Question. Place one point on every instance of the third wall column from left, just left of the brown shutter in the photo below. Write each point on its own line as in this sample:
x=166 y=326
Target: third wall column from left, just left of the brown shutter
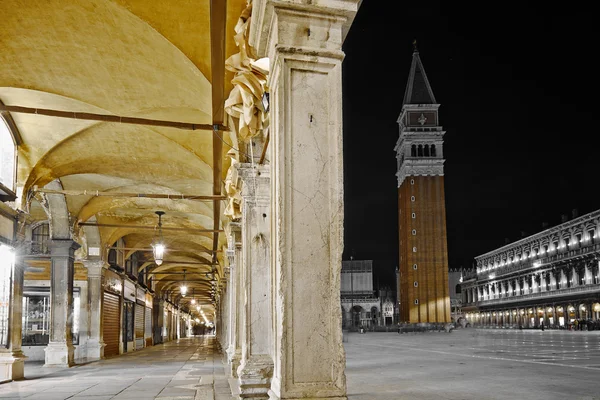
x=95 y=343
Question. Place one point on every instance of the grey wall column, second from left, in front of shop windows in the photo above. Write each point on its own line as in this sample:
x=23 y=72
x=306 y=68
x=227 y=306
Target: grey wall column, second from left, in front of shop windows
x=59 y=352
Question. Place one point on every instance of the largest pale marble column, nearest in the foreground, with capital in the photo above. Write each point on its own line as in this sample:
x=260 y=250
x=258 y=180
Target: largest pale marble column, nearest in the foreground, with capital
x=303 y=41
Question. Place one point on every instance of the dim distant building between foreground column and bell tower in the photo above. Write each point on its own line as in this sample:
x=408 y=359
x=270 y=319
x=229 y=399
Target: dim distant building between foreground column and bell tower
x=363 y=305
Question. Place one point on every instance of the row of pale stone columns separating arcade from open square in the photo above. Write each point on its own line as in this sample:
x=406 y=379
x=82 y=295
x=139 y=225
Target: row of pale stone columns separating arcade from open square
x=279 y=314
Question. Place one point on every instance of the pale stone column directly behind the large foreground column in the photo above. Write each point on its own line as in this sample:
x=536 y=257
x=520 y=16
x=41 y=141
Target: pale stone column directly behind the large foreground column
x=256 y=368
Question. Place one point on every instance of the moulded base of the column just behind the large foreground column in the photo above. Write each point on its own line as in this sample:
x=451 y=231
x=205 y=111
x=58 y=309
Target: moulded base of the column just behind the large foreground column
x=255 y=377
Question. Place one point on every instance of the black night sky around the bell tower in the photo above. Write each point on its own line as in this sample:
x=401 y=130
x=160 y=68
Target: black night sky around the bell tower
x=518 y=87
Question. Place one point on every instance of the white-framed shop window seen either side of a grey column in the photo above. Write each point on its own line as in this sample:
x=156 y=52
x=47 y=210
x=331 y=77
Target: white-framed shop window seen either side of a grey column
x=36 y=316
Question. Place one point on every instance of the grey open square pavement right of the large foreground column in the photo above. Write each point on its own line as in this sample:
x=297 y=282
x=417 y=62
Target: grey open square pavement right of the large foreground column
x=493 y=364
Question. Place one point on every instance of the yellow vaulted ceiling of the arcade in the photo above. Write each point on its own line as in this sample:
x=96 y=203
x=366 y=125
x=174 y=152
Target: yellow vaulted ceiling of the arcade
x=132 y=58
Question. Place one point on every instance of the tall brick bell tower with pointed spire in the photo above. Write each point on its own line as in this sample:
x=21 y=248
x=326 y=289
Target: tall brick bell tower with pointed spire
x=423 y=293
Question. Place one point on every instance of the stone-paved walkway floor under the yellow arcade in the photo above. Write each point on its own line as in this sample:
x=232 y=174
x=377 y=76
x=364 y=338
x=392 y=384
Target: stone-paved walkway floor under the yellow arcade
x=185 y=369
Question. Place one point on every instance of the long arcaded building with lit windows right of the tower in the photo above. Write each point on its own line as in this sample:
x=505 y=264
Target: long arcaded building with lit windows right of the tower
x=548 y=279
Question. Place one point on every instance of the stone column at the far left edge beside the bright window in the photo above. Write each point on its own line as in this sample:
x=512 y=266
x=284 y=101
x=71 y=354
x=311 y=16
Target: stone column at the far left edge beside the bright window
x=12 y=359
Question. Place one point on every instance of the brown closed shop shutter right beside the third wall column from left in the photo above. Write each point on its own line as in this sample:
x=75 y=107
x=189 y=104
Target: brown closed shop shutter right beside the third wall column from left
x=111 y=315
